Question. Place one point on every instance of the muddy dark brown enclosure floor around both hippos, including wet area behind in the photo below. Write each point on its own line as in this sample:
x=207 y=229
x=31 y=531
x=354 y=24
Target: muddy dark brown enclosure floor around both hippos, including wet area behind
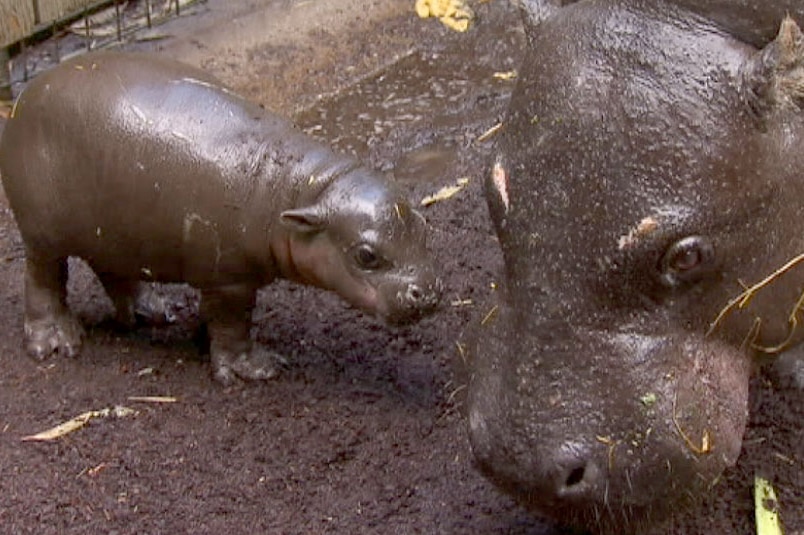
x=361 y=432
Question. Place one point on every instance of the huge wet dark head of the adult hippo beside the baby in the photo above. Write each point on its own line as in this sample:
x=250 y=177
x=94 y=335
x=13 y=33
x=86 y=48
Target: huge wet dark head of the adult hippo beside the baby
x=650 y=165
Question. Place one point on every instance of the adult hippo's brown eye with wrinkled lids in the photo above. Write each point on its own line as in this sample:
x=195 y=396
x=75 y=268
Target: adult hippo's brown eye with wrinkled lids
x=687 y=260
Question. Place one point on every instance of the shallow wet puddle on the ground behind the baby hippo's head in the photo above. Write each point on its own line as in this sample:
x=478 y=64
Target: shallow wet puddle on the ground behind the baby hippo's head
x=413 y=118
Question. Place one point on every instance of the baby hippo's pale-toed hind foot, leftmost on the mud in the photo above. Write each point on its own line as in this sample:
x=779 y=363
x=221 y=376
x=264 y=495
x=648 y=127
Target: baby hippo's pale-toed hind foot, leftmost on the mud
x=58 y=334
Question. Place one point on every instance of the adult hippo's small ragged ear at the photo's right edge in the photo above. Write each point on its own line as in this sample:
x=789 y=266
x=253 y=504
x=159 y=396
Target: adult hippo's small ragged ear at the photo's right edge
x=774 y=78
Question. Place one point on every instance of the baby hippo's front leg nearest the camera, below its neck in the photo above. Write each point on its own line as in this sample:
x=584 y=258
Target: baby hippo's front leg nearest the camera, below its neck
x=227 y=311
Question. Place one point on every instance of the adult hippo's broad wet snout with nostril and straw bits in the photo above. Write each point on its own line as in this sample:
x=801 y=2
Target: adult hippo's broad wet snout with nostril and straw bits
x=647 y=419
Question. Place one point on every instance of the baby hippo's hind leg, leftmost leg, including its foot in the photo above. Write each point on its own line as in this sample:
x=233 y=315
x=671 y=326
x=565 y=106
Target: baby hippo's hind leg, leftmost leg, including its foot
x=49 y=326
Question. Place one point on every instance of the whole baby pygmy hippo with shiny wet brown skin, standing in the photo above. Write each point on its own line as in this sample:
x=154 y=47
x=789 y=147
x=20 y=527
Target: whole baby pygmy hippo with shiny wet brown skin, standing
x=151 y=170
